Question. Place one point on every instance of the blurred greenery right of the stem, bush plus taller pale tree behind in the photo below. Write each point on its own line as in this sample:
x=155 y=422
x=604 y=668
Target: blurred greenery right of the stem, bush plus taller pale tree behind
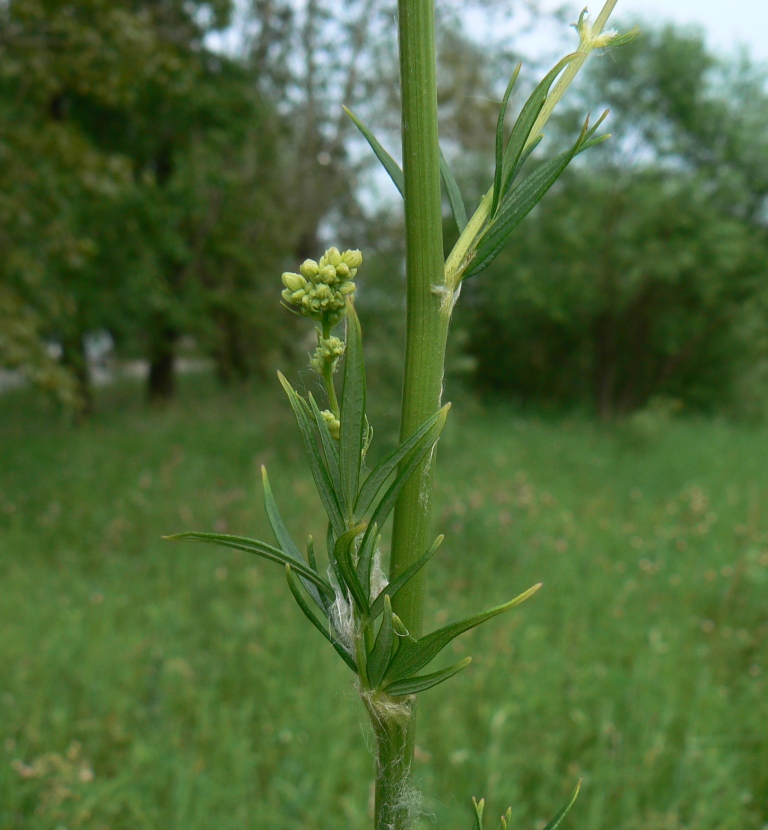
x=644 y=276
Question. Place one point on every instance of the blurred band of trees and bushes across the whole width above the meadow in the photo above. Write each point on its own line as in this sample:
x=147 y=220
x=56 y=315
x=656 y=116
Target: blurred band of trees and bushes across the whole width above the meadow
x=154 y=181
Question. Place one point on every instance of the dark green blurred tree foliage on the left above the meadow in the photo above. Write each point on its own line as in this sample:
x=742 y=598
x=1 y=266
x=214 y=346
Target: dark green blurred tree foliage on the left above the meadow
x=141 y=179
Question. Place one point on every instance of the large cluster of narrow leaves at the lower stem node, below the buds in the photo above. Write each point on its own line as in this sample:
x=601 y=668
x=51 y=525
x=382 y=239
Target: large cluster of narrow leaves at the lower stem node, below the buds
x=351 y=608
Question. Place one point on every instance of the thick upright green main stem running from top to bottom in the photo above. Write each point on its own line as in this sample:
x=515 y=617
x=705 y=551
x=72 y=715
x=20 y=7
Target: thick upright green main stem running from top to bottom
x=426 y=332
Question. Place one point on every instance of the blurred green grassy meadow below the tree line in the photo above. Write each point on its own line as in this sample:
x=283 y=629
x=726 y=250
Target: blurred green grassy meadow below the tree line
x=145 y=685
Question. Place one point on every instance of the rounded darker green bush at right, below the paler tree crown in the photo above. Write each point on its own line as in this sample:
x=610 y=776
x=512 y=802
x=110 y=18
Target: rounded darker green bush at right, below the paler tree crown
x=650 y=291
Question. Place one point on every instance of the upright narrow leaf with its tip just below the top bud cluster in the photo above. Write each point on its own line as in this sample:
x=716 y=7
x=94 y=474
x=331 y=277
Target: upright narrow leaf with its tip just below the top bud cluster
x=352 y=430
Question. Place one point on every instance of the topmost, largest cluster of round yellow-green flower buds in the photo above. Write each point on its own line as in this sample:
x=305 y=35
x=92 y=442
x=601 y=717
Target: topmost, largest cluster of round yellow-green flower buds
x=320 y=289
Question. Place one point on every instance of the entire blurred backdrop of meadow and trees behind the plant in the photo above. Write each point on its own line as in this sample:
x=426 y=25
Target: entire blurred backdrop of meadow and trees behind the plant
x=160 y=165
